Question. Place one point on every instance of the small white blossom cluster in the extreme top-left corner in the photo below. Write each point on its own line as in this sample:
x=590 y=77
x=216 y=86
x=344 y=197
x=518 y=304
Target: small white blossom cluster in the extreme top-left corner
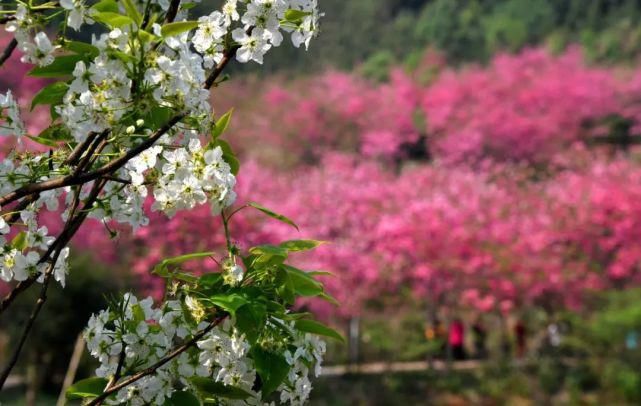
x=34 y=44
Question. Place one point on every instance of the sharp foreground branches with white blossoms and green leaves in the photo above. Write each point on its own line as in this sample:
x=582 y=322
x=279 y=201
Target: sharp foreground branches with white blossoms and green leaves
x=130 y=122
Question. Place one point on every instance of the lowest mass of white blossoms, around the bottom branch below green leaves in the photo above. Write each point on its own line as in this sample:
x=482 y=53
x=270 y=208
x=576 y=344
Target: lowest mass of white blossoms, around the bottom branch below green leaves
x=143 y=335
